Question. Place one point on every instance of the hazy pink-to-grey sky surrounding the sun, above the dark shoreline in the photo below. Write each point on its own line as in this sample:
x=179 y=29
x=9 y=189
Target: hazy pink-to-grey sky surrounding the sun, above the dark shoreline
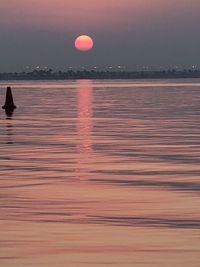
x=125 y=32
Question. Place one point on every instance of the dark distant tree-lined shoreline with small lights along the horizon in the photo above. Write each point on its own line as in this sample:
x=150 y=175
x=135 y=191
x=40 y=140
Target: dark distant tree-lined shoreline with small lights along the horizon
x=99 y=75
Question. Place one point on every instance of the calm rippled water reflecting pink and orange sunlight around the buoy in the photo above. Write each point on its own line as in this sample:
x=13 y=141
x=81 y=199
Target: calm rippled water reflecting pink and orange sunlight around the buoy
x=99 y=173
